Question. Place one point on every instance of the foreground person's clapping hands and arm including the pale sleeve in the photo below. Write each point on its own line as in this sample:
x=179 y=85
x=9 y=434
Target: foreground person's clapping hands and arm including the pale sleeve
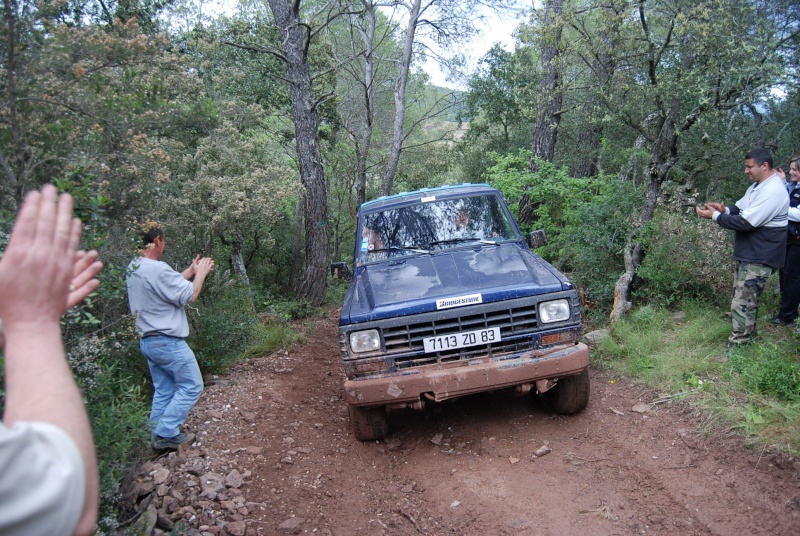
x=48 y=470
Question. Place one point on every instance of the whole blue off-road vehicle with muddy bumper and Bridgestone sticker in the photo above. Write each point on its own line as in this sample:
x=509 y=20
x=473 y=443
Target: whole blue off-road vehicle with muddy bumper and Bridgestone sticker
x=447 y=299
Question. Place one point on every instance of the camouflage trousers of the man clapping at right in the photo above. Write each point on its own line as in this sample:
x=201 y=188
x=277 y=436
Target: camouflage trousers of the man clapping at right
x=747 y=286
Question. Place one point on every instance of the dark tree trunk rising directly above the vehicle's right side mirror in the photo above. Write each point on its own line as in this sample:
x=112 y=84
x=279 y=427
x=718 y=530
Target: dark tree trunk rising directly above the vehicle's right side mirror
x=545 y=131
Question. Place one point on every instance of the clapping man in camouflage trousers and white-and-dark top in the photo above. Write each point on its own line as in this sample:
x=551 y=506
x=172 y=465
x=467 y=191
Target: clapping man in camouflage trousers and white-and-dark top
x=759 y=220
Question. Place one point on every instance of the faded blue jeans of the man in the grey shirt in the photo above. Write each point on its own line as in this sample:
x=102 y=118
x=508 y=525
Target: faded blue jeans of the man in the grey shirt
x=176 y=380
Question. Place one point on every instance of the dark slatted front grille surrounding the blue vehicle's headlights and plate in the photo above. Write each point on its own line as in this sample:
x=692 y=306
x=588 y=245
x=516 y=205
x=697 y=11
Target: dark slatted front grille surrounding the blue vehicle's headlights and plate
x=517 y=320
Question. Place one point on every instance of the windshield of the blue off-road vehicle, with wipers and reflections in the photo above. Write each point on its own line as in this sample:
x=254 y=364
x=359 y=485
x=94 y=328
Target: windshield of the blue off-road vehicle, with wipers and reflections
x=433 y=226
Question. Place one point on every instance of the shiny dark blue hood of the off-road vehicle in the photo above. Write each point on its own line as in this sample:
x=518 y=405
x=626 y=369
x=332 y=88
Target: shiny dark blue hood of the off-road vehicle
x=413 y=284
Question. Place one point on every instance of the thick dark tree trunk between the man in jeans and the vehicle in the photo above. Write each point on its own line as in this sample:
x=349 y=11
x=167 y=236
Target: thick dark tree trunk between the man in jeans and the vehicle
x=294 y=40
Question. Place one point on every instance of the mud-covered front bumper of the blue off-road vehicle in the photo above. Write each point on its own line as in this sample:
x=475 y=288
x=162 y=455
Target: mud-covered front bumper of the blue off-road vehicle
x=442 y=381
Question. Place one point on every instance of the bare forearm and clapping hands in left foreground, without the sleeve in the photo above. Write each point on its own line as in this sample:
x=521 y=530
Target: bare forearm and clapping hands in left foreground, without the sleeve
x=36 y=271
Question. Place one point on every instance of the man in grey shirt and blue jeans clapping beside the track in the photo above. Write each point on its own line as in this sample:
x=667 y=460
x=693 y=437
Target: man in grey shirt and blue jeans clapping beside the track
x=157 y=295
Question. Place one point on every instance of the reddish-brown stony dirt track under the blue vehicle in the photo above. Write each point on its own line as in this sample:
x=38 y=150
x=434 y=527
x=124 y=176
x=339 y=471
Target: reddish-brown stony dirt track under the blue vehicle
x=274 y=455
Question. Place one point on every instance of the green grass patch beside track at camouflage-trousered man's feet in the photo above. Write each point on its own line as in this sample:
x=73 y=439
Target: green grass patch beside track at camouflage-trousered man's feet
x=756 y=393
